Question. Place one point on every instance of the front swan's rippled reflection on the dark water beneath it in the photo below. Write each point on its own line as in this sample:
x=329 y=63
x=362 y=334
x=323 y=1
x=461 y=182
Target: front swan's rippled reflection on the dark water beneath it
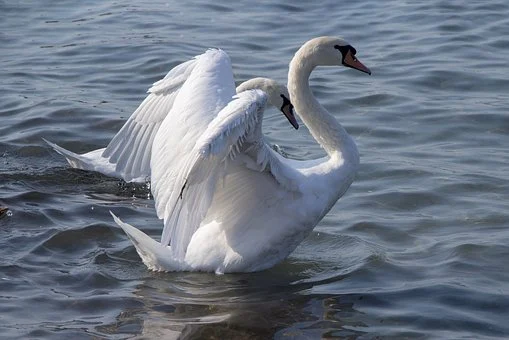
x=261 y=305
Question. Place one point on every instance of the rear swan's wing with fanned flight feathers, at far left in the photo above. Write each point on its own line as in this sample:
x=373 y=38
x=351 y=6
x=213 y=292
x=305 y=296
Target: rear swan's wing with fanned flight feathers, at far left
x=130 y=149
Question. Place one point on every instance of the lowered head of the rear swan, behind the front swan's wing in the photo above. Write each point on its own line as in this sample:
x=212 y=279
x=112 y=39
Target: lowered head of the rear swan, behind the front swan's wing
x=278 y=96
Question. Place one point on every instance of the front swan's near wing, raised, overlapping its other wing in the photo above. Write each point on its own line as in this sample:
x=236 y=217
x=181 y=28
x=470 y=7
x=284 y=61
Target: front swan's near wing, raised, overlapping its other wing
x=184 y=203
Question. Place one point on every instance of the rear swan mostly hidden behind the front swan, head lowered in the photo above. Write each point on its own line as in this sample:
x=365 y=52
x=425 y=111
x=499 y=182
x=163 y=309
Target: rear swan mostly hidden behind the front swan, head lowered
x=127 y=156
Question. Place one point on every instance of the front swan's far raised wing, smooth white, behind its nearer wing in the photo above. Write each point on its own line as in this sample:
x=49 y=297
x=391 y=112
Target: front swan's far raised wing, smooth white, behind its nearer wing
x=208 y=89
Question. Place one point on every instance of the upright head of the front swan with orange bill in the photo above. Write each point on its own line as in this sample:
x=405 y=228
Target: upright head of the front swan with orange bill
x=333 y=51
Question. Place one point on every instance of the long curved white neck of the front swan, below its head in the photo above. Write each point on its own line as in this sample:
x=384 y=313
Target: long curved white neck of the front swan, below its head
x=324 y=128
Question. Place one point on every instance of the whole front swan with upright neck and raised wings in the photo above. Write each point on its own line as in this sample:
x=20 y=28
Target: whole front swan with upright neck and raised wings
x=229 y=202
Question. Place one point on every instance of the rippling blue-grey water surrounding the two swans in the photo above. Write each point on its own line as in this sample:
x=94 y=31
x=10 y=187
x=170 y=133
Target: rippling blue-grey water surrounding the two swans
x=417 y=248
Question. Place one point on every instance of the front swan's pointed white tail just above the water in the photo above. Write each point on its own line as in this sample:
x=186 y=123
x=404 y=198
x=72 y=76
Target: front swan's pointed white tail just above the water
x=155 y=256
